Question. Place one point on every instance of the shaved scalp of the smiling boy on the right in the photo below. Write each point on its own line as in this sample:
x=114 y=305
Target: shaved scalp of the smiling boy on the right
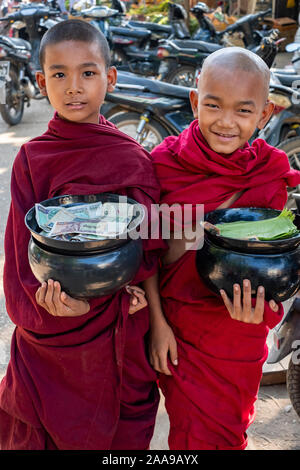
x=235 y=59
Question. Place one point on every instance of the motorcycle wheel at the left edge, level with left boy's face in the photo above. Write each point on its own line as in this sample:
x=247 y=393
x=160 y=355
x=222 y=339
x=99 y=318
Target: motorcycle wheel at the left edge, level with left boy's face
x=12 y=111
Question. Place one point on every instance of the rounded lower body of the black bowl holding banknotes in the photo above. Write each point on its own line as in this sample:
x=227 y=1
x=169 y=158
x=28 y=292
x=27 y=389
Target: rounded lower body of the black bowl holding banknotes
x=94 y=274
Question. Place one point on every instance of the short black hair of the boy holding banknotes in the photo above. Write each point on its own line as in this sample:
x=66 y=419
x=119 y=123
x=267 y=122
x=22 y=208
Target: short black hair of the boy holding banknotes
x=75 y=30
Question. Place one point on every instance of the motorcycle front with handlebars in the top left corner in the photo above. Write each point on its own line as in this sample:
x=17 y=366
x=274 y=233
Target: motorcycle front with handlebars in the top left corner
x=30 y=23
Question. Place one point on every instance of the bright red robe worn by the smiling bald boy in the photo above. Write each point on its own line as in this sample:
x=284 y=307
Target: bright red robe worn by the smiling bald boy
x=210 y=396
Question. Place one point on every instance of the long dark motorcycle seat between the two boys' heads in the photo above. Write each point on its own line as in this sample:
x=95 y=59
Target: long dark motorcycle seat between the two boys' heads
x=154 y=86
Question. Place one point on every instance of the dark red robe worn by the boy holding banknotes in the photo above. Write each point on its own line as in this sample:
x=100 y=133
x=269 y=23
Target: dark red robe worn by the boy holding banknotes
x=79 y=382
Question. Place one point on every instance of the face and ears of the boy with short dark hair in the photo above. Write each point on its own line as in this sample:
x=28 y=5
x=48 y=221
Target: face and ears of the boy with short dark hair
x=75 y=80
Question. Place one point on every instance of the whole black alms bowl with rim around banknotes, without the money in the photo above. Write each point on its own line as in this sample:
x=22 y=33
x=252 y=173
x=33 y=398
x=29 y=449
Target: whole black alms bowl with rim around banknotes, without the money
x=85 y=269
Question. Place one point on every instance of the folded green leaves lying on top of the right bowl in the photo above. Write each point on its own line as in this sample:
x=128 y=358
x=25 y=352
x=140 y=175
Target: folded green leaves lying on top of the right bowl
x=275 y=228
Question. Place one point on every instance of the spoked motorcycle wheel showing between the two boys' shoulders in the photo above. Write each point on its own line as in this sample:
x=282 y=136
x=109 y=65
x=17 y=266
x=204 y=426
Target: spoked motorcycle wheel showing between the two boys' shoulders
x=152 y=135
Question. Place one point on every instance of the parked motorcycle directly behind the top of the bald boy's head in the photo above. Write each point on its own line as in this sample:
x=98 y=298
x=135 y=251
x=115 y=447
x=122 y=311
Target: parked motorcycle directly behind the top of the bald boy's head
x=181 y=61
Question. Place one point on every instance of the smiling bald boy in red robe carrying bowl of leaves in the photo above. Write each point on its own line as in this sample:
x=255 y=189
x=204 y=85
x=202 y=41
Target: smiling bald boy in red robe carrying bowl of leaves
x=210 y=350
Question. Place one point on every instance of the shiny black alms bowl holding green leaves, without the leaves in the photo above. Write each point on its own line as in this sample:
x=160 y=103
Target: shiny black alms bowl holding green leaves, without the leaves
x=275 y=264
